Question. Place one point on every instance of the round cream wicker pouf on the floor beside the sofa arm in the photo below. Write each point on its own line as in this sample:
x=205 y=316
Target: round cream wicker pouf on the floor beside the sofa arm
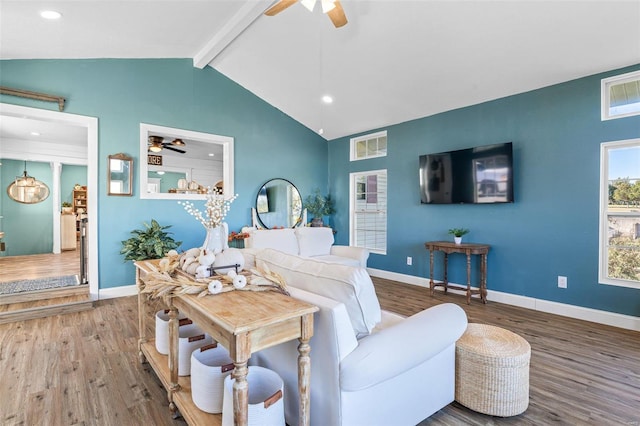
x=492 y=371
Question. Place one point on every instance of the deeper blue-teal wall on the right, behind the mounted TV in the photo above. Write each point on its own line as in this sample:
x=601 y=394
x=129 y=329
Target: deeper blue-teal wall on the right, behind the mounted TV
x=551 y=229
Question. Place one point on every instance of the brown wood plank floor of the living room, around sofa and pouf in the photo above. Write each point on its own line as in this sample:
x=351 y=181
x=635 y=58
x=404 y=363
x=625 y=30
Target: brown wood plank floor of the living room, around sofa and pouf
x=82 y=368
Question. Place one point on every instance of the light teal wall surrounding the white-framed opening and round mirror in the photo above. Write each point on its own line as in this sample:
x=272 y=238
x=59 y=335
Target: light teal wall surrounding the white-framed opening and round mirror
x=124 y=93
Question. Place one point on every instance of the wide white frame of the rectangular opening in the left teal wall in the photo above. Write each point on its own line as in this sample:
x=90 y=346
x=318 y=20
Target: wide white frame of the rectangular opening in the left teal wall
x=147 y=130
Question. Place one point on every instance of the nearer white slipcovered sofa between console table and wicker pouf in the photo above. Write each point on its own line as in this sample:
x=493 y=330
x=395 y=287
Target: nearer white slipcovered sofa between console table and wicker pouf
x=368 y=366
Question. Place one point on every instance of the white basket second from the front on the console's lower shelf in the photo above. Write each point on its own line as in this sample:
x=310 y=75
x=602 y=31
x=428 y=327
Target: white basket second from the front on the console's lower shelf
x=209 y=366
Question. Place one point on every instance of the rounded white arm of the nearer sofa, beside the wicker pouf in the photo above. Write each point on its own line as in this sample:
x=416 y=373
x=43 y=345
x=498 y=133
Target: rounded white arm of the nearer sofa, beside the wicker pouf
x=397 y=349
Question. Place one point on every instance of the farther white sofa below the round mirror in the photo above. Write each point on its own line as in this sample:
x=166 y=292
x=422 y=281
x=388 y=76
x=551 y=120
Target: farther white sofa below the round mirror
x=306 y=241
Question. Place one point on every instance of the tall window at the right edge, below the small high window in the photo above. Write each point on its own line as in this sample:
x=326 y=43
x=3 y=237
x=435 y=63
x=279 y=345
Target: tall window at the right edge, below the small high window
x=620 y=213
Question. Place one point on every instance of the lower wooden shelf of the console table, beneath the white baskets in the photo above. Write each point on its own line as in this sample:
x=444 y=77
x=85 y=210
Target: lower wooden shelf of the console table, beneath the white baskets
x=181 y=398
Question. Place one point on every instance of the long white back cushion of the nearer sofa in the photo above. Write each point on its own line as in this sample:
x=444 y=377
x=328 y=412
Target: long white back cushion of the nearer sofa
x=347 y=284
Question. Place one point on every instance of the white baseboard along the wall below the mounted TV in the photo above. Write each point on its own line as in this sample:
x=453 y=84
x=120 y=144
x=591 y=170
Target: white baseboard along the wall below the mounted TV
x=578 y=312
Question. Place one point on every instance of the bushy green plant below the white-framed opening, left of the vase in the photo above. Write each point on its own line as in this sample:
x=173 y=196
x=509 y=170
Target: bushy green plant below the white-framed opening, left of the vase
x=153 y=242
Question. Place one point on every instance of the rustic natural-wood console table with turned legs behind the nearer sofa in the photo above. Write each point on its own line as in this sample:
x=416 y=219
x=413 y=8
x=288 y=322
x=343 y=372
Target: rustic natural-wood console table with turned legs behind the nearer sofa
x=243 y=322
